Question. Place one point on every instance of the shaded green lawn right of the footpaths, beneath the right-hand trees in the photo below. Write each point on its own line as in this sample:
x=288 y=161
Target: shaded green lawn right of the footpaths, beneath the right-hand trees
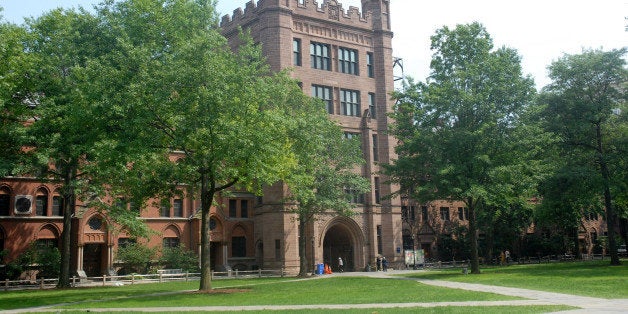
x=594 y=279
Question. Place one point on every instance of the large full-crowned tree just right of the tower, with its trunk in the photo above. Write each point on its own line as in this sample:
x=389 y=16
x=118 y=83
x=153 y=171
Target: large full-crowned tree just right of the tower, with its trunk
x=457 y=132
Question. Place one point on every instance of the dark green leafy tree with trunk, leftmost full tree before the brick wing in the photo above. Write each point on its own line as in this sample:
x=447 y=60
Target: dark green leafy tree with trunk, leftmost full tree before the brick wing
x=65 y=140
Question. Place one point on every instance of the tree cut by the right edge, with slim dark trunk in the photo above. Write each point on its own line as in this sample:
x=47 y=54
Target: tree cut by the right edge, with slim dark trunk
x=583 y=107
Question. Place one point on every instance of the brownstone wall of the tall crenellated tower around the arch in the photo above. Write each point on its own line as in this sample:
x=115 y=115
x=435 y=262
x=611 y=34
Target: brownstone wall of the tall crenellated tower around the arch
x=274 y=25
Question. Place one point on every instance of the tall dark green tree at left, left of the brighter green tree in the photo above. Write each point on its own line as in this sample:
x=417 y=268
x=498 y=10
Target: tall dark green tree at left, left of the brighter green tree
x=77 y=136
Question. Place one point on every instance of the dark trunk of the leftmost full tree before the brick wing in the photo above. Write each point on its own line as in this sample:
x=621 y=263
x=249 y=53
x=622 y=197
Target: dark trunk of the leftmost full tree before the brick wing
x=69 y=200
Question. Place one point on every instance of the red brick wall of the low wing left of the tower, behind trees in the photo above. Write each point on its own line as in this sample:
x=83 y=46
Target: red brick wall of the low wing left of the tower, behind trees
x=95 y=238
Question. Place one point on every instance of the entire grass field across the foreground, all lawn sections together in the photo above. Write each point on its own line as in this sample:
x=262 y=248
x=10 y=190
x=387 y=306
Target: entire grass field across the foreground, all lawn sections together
x=589 y=279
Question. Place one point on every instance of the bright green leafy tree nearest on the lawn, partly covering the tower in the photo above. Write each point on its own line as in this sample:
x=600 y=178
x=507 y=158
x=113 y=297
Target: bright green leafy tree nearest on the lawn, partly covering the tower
x=221 y=115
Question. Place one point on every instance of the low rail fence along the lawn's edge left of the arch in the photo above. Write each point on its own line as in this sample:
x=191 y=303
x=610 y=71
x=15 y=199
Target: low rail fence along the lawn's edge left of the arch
x=159 y=277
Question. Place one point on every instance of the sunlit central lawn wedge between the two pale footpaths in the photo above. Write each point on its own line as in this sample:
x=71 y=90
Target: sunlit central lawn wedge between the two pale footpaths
x=335 y=290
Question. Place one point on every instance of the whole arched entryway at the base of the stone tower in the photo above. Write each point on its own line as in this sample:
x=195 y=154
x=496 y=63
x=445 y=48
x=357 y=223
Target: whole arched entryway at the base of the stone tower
x=343 y=239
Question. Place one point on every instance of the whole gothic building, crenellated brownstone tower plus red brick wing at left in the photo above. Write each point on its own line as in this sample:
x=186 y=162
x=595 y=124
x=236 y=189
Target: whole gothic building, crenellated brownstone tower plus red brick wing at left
x=343 y=57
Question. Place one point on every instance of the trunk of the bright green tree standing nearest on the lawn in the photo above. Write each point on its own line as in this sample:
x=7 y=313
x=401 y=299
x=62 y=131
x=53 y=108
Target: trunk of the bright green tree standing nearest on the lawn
x=207 y=196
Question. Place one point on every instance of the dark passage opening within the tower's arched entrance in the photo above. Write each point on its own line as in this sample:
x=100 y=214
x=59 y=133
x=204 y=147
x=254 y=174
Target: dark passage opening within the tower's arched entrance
x=338 y=243
